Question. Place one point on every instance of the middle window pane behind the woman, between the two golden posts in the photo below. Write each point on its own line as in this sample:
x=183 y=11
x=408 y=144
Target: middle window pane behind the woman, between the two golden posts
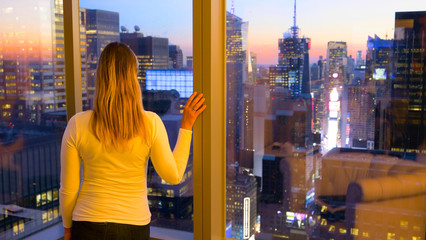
x=160 y=35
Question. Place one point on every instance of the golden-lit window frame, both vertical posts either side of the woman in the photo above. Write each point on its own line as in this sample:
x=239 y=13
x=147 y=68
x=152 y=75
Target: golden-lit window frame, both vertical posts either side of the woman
x=209 y=145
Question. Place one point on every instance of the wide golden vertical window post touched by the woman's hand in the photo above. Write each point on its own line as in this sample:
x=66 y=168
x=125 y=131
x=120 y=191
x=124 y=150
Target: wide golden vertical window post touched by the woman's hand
x=209 y=133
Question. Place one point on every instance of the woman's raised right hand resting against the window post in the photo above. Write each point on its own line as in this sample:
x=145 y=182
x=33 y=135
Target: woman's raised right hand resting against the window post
x=193 y=108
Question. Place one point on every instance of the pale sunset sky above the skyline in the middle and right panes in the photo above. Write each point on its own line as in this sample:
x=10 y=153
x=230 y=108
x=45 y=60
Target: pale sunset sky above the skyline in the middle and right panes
x=269 y=20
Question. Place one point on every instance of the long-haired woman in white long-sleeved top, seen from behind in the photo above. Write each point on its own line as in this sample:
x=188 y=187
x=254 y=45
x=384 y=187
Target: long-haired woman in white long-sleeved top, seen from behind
x=114 y=141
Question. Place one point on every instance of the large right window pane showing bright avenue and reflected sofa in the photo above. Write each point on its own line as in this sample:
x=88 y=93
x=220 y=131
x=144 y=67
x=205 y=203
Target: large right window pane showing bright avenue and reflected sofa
x=326 y=122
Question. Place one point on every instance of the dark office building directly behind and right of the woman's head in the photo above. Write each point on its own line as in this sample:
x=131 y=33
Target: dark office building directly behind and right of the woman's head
x=152 y=52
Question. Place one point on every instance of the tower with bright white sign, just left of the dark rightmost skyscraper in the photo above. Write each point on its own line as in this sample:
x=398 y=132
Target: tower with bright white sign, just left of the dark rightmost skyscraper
x=375 y=88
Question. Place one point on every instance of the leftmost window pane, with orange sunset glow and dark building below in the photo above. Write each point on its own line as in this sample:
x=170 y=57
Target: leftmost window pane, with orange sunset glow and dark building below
x=32 y=115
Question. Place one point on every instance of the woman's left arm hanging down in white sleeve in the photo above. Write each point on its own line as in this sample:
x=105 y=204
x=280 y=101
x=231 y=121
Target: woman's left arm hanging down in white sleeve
x=70 y=173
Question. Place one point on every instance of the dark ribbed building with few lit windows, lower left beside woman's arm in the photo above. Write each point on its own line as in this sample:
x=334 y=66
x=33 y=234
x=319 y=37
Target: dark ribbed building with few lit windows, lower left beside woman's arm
x=30 y=182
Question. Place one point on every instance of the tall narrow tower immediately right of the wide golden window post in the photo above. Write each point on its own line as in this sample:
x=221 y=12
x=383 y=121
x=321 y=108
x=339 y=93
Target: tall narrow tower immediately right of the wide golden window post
x=236 y=75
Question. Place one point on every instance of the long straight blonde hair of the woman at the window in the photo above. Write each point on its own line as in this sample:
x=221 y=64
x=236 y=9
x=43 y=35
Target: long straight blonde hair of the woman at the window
x=118 y=111
